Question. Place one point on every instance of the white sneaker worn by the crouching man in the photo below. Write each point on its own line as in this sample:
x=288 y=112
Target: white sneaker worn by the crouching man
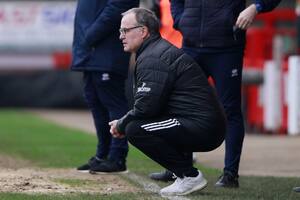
x=185 y=185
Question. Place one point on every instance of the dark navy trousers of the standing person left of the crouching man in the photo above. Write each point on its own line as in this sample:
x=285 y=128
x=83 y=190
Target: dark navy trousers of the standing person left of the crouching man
x=105 y=95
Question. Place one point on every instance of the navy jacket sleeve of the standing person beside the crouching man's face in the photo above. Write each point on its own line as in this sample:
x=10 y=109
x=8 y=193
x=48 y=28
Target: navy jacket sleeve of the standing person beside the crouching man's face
x=108 y=20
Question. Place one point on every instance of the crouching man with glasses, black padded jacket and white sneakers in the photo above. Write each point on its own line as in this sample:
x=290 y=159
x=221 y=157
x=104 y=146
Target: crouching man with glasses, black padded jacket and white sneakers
x=176 y=111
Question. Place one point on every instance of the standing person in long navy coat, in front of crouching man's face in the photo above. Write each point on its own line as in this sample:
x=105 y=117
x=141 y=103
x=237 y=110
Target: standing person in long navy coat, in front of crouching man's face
x=98 y=53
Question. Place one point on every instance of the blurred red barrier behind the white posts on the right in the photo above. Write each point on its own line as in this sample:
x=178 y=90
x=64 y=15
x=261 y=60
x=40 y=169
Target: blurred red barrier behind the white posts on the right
x=259 y=48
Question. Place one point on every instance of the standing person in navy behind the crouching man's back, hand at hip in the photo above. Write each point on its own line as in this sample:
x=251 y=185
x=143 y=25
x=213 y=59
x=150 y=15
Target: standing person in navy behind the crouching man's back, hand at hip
x=214 y=35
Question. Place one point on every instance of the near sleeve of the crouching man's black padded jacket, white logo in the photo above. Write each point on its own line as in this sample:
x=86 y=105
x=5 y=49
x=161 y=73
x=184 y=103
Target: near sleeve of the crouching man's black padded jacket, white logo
x=151 y=94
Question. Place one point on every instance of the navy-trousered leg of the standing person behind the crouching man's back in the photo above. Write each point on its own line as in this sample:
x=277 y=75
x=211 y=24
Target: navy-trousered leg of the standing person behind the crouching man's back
x=226 y=71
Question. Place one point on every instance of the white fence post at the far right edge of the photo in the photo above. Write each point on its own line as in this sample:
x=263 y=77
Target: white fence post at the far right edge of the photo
x=294 y=95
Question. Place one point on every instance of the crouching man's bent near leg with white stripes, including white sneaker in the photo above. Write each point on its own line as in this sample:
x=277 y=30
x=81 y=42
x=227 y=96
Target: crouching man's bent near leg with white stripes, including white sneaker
x=174 y=153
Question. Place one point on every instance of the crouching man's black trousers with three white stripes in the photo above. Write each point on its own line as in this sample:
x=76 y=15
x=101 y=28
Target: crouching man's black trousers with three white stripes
x=168 y=143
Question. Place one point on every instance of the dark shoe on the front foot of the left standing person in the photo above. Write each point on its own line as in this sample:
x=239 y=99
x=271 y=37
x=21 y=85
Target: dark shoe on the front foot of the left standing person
x=109 y=167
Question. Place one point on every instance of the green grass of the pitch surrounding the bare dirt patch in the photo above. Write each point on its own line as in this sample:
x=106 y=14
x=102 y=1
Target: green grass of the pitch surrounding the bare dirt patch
x=25 y=136
